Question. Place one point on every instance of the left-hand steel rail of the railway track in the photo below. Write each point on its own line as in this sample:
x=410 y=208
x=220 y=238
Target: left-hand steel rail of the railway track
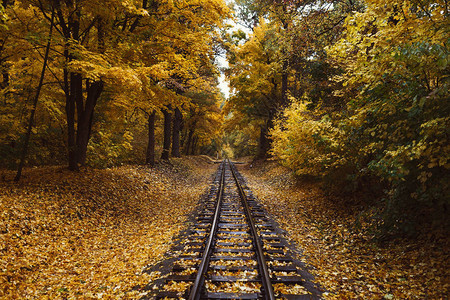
x=195 y=292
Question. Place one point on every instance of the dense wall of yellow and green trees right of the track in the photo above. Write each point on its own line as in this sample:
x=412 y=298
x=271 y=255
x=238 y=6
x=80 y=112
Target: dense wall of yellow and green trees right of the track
x=353 y=92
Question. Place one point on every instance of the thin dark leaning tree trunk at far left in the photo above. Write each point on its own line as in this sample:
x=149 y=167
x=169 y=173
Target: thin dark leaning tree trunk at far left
x=36 y=98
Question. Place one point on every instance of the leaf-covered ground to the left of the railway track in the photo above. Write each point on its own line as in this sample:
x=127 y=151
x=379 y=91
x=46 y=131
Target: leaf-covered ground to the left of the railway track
x=90 y=234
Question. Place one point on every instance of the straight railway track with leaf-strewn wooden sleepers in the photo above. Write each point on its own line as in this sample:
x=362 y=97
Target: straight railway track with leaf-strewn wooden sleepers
x=233 y=251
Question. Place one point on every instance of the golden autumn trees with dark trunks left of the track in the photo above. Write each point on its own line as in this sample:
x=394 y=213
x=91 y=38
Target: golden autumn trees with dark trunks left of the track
x=89 y=79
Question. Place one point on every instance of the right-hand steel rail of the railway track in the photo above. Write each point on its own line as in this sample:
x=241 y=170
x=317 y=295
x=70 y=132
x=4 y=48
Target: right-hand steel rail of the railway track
x=265 y=277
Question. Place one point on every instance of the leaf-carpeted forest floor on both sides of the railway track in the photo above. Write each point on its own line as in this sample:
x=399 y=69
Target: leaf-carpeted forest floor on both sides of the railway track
x=91 y=234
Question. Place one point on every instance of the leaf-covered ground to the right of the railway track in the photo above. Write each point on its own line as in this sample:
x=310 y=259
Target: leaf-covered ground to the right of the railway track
x=344 y=259
